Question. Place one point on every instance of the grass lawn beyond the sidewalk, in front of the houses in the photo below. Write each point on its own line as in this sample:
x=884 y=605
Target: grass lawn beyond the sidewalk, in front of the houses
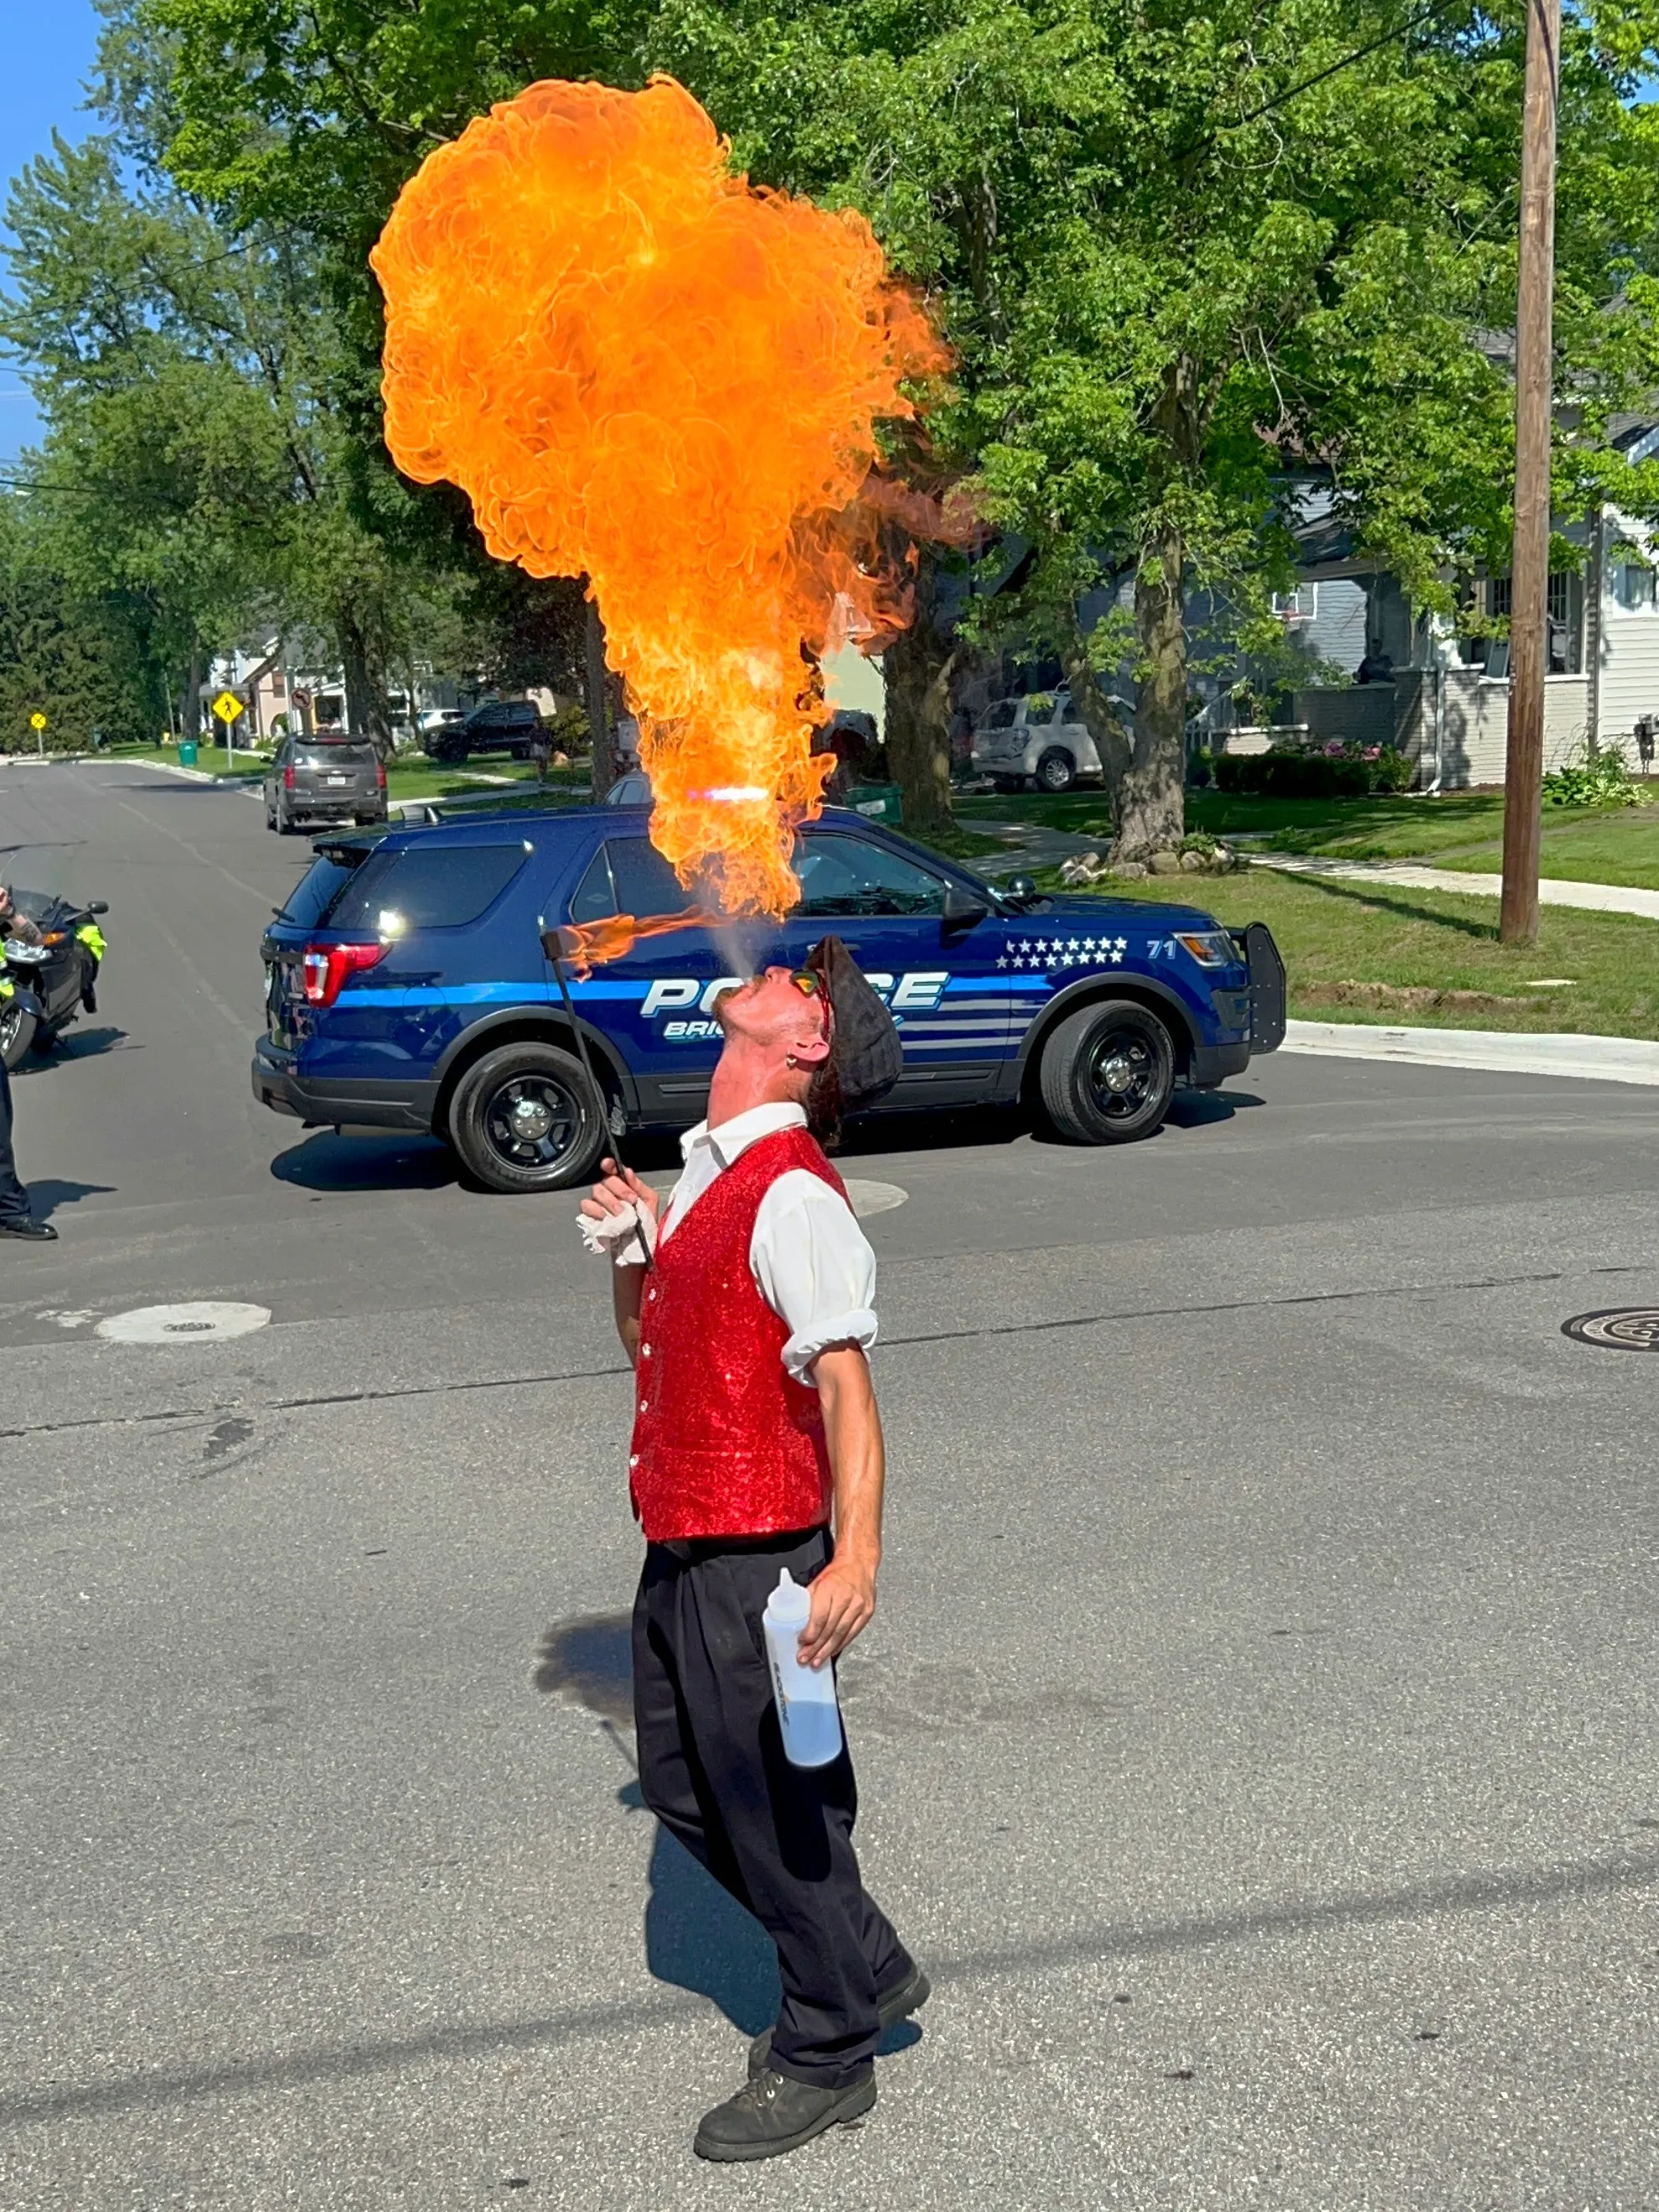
x=1461 y=831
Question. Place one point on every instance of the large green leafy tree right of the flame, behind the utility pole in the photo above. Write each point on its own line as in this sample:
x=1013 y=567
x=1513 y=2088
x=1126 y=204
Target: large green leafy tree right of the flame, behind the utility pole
x=1196 y=264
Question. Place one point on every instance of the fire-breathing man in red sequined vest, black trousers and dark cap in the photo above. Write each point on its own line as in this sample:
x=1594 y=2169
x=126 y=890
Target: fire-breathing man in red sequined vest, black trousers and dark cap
x=747 y=1313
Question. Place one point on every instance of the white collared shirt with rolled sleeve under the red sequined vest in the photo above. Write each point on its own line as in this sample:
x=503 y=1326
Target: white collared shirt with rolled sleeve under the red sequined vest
x=808 y=1258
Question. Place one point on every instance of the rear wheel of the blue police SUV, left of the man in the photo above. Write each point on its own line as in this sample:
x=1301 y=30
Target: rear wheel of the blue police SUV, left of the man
x=528 y=1120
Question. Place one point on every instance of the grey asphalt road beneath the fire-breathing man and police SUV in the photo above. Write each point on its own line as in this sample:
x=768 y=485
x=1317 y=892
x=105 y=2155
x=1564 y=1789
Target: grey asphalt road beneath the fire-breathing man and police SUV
x=1258 y=1738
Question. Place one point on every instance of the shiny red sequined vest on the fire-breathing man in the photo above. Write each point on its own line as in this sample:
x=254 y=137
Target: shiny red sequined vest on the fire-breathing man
x=724 y=1439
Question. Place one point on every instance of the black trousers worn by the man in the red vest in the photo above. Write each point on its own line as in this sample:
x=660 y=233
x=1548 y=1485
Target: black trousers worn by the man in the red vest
x=778 y=1837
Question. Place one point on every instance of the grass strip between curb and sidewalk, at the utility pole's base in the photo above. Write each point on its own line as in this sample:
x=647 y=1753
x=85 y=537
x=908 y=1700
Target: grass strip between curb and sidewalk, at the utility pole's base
x=1342 y=932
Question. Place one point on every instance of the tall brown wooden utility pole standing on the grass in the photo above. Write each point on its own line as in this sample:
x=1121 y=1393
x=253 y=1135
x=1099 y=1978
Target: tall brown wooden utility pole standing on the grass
x=1532 y=563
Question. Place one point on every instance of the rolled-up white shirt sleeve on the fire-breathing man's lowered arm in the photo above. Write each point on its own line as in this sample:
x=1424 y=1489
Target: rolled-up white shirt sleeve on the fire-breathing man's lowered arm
x=815 y=1269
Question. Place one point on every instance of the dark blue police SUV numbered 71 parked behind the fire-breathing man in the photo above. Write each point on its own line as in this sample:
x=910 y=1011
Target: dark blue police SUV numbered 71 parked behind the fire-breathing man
x=408 y=990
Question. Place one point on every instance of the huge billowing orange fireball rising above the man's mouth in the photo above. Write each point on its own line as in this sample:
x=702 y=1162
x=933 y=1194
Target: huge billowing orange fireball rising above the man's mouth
x=645 y=371
